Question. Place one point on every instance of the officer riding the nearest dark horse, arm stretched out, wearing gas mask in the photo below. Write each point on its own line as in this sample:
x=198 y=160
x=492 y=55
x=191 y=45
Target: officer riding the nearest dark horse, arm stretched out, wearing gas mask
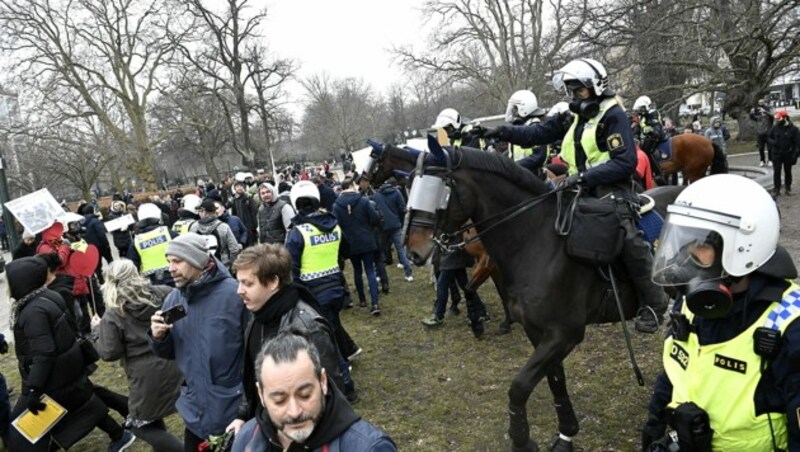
x=599 y=150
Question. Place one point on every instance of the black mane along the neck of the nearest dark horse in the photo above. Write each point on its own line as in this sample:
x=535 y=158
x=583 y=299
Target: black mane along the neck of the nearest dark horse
x=501 y=166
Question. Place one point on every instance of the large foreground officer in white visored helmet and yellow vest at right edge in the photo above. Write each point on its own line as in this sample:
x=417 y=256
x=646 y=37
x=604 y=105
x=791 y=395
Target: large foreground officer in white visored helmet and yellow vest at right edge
x=731 y=378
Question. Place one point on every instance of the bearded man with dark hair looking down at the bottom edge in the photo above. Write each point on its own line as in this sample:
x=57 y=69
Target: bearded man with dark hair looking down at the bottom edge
x=303 y=408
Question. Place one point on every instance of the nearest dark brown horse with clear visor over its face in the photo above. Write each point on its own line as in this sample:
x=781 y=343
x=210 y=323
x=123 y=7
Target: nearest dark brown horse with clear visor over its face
x=550 y=294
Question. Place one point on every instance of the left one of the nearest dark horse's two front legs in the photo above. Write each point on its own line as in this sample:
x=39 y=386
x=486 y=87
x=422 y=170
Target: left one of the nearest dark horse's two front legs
x=549 y=353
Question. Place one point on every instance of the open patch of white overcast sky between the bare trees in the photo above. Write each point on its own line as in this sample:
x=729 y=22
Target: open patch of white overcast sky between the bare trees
x=344 y=37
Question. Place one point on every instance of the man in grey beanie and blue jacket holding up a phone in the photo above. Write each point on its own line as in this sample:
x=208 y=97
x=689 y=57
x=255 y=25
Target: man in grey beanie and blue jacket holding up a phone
x=208 y=343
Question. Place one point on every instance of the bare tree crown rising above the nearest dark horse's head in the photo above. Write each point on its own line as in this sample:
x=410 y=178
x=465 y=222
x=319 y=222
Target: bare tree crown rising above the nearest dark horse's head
x=496 y=47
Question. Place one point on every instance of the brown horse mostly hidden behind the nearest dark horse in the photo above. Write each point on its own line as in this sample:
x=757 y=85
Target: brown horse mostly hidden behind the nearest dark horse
x=388 y=160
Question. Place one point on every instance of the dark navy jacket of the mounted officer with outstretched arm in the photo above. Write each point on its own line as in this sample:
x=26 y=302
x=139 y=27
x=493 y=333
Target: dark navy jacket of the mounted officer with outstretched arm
x=618 y=169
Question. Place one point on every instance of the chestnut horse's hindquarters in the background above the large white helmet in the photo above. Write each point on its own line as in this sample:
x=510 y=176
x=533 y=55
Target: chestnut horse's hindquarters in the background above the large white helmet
x=689 y=153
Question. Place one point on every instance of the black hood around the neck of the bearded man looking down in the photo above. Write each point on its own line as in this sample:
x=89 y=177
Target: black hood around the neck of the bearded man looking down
x=337 y=417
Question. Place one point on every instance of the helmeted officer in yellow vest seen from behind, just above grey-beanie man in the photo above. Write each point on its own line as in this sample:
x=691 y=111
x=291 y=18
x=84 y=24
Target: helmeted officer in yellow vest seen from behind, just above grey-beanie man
x=149 y=246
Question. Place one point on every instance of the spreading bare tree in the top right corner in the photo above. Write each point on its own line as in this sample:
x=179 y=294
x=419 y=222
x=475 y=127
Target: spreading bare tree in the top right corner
x=737 y=47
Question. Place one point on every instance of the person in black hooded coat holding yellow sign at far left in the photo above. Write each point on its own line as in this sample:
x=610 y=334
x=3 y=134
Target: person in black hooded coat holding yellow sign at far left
x=51 y=362
